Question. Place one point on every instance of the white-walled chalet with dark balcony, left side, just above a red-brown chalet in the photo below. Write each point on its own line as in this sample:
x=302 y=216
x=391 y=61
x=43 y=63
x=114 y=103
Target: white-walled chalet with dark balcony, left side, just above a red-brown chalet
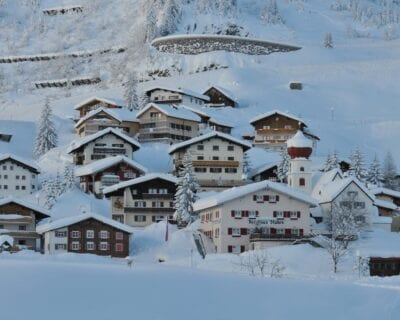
x=108 y=142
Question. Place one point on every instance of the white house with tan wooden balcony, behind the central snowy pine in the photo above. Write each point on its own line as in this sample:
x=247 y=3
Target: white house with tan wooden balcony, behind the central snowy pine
x=217 y=159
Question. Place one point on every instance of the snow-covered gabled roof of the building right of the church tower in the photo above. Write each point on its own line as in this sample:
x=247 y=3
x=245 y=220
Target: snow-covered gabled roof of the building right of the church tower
x=332 y=190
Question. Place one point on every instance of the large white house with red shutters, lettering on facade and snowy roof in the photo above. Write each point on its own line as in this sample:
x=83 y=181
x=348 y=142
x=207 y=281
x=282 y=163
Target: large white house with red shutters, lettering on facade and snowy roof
x=254 y=216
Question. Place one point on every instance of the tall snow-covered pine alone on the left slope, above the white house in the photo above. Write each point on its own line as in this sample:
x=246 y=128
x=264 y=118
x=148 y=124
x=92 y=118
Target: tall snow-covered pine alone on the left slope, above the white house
x=46 y=137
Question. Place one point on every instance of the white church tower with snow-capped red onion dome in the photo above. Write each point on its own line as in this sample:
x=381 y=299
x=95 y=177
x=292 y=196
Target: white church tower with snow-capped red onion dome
x=299 y=175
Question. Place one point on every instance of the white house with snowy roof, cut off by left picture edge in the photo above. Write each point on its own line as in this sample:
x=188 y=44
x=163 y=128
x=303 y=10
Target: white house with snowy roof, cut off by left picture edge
x=18 y=176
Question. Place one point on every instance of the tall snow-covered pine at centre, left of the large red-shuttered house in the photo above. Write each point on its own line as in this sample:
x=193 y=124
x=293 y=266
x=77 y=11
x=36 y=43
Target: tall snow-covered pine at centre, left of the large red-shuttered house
x=186 y=192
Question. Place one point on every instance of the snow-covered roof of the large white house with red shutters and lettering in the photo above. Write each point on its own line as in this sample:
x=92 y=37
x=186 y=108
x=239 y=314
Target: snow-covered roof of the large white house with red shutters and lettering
x=237 y=192
